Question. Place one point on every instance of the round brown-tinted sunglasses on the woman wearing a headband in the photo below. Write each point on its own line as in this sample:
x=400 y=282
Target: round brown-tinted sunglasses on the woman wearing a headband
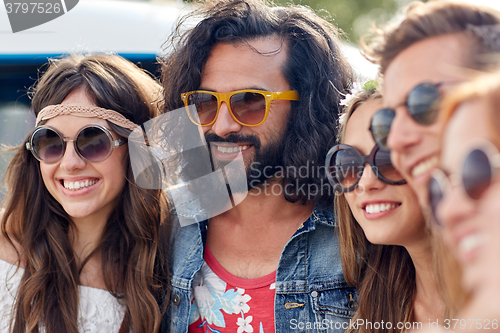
x=93 y=143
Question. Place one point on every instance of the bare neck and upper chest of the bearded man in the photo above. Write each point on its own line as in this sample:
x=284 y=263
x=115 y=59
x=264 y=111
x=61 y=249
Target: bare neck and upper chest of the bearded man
x=248 y=239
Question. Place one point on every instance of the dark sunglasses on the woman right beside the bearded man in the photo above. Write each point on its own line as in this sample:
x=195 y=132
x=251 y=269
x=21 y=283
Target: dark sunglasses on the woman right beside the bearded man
x=345 y=165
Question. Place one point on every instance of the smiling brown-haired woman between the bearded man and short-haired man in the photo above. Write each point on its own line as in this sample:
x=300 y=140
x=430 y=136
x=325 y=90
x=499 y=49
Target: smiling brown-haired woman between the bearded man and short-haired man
x=387 y=250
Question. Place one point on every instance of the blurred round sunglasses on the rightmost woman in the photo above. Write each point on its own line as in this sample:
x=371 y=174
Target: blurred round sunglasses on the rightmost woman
x=476 y=174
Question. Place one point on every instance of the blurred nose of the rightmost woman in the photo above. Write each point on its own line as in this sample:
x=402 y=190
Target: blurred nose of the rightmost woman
x=454 y=208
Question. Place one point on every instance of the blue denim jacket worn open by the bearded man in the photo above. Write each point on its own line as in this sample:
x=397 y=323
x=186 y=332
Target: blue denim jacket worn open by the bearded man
x=311 y=293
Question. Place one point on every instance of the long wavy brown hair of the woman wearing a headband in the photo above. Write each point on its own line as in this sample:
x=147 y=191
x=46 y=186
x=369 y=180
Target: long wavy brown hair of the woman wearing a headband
x=135 y=239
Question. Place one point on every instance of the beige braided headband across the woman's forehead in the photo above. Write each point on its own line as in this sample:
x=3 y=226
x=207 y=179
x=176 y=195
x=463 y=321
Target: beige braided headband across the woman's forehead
x=88 y=111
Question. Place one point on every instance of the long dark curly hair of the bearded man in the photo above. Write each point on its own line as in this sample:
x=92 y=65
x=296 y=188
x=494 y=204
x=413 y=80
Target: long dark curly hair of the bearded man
x=315 y=68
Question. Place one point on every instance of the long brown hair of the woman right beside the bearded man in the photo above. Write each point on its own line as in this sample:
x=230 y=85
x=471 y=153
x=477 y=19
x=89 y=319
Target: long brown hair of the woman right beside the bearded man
x=384 y=275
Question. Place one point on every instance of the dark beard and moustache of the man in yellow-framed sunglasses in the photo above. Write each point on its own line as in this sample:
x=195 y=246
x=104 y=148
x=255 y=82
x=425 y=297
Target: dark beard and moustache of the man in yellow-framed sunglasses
x=267 y=161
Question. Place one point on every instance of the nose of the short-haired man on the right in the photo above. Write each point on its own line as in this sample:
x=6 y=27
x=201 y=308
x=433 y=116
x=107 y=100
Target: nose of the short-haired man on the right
x=405 y=132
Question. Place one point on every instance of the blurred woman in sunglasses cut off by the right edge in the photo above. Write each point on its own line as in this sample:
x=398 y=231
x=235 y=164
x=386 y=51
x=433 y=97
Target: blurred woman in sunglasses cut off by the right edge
x=465 y=193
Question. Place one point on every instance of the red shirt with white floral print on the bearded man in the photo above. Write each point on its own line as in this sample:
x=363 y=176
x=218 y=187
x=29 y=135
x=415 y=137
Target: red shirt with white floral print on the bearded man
x=226 y=303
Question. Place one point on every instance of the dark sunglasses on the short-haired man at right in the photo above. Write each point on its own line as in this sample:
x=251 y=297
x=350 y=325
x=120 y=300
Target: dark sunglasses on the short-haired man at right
x=422 y=103
